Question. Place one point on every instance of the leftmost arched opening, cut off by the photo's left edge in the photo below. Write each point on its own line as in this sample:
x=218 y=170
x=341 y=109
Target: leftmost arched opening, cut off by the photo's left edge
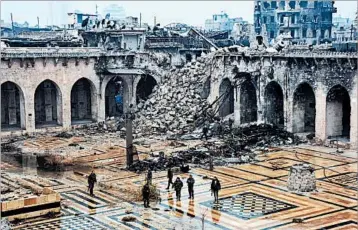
x=12 y=106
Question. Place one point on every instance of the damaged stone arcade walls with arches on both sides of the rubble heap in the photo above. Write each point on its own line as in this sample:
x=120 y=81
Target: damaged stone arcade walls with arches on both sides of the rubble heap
x=49 y=88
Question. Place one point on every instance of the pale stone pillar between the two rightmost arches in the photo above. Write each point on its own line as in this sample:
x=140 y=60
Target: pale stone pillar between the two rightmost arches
x=321 y=118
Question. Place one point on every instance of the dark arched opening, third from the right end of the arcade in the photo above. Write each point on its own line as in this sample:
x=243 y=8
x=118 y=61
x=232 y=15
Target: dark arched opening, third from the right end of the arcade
x=274 y=104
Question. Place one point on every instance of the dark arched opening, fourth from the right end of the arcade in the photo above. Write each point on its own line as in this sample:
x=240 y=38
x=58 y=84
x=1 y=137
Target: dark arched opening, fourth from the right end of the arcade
x=248 y=102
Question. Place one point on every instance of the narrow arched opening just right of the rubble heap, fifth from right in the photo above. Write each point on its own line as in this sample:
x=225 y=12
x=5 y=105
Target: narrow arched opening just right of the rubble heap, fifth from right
x=226 y=94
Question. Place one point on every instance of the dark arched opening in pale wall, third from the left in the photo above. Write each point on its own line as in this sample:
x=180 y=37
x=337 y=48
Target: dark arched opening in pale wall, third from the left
x=82 y=101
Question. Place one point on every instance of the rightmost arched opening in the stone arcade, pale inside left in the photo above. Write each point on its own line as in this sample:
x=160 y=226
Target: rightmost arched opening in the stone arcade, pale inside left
x=338 y=112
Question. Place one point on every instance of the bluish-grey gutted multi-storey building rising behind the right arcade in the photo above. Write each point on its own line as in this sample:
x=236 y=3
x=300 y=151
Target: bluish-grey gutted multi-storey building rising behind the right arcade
x=308 y=22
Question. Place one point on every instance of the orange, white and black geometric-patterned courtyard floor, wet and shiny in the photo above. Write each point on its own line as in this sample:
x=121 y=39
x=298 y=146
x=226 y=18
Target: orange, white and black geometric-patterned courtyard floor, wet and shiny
x=253 y=196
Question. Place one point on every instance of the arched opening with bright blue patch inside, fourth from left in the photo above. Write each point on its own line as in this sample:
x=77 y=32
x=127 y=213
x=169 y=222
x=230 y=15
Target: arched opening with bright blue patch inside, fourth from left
x=116 y=86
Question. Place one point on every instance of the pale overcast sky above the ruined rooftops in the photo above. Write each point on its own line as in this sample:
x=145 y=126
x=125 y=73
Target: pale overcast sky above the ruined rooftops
x=190 y=12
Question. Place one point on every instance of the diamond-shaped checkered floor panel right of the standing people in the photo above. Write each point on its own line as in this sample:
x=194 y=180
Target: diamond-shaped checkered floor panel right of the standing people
x=249 y=205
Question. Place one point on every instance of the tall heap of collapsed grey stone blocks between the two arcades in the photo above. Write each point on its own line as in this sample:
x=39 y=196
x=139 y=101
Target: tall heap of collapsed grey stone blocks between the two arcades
x=174 y=102
